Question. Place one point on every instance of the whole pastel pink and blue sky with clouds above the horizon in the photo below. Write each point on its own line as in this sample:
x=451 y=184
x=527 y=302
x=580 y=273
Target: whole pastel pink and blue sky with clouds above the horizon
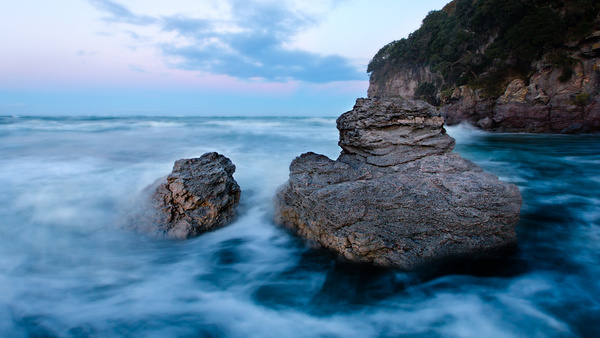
x=194 y=57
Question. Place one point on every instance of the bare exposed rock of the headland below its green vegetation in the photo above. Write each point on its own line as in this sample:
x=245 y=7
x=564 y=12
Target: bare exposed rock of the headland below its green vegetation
x=539 y=104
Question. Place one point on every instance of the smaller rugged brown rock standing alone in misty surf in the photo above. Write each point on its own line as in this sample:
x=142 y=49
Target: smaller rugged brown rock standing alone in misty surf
x=199 y=195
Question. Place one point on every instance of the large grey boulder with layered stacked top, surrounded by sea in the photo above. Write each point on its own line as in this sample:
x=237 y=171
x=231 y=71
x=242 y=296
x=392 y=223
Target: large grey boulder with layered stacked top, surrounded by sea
x=397 y=196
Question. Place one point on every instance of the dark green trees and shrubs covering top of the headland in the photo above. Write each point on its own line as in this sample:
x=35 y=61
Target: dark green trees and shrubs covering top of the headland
x=483 y=43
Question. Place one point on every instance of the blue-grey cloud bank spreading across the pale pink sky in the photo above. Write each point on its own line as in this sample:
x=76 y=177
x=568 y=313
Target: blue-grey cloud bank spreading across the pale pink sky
x=248 y=42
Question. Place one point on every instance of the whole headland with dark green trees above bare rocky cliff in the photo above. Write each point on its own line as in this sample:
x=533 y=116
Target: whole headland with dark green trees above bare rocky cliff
x=501 y=65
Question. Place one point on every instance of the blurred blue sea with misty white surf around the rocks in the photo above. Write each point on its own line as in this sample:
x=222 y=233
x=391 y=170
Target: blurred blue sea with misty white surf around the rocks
x=66 y=270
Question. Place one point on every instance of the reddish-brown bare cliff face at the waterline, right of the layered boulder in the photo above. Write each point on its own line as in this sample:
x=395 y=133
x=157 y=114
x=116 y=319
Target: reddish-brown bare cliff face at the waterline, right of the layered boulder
x=543 y=105
